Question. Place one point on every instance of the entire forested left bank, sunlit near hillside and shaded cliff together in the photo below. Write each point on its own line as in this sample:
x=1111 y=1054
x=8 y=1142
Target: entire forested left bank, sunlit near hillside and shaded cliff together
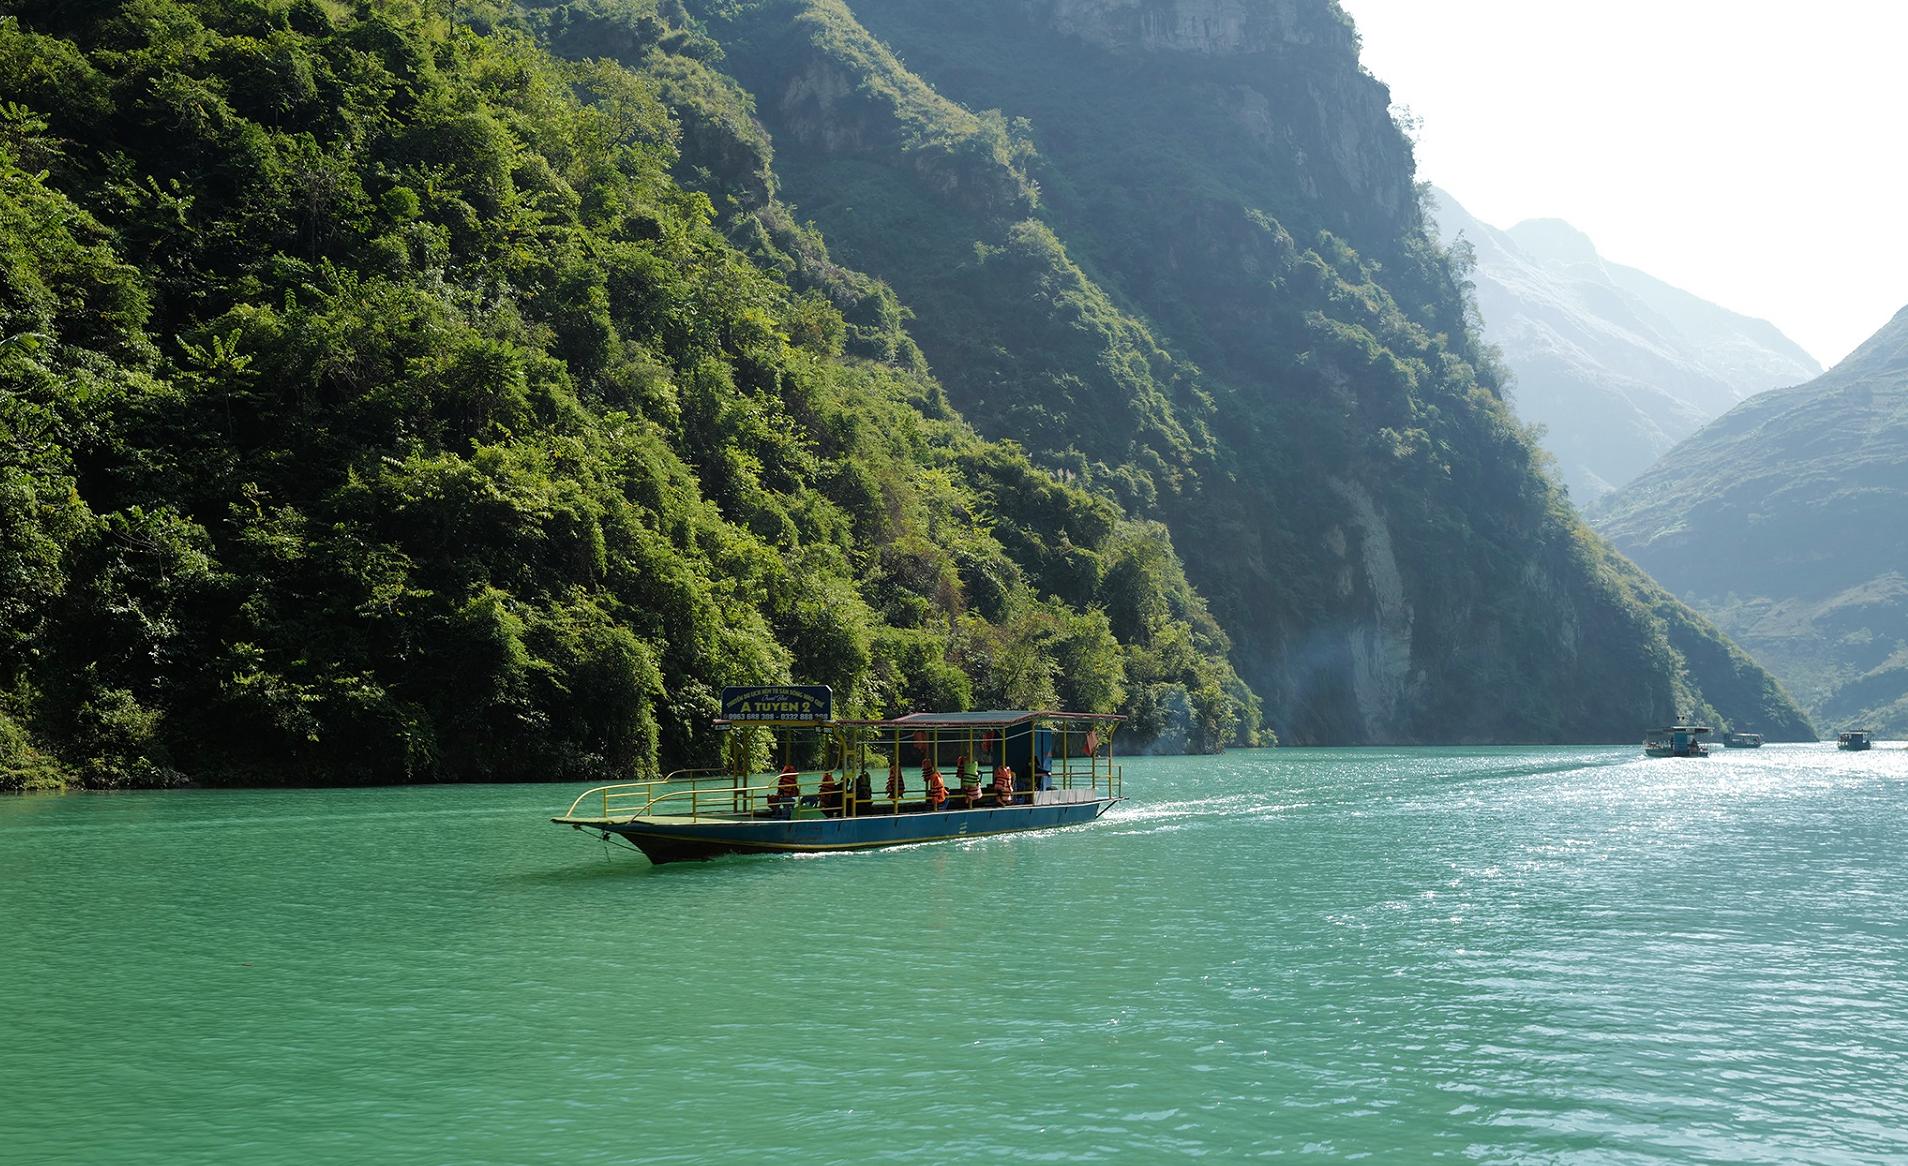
x=384 y=398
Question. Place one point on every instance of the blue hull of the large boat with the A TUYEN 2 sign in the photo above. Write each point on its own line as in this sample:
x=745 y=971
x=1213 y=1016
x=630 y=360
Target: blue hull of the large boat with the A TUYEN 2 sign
x=676 y=843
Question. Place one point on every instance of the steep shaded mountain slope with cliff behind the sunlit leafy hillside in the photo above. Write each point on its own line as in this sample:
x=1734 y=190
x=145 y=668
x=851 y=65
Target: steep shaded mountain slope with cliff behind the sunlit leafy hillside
x=1176 y=251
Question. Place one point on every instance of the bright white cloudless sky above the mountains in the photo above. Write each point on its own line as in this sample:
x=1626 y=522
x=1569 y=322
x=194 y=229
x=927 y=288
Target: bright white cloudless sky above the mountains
x=1751 y=152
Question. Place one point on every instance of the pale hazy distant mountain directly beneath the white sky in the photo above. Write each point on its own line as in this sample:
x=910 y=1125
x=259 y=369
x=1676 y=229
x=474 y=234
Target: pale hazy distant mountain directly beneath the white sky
x=1613 y=362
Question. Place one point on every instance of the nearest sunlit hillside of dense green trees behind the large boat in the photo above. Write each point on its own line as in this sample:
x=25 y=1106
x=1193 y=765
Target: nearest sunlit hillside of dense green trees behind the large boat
x=375 y=406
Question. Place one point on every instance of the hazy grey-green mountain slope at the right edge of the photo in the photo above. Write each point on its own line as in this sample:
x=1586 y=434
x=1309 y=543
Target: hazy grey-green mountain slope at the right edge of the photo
x=1785 y=522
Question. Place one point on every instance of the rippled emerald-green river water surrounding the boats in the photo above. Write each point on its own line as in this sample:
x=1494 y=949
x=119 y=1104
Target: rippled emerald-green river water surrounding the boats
x=1548 y=955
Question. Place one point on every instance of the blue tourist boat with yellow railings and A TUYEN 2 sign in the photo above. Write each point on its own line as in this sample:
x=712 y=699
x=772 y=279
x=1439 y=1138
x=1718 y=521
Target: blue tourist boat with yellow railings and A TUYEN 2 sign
x=800 y=781
